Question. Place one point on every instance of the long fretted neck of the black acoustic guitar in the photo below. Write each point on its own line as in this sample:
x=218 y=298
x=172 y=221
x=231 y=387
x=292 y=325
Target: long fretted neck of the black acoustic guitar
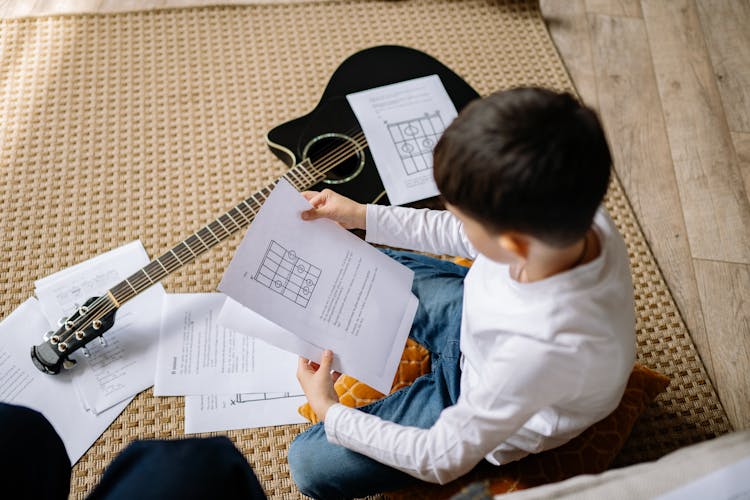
x=302 y=176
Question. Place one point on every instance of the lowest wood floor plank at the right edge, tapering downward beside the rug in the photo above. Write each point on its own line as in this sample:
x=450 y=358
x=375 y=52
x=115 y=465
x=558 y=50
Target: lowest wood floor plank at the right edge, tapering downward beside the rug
x=725 y=294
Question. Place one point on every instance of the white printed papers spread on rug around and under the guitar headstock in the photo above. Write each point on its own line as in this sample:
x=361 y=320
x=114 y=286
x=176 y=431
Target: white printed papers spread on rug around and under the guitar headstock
x=170 y=341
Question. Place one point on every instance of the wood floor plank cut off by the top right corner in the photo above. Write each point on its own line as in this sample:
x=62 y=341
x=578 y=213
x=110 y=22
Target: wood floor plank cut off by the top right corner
x=726 y=27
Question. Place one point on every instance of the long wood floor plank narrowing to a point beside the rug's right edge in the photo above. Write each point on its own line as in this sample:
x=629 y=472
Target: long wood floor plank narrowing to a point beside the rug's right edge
x=642 y=158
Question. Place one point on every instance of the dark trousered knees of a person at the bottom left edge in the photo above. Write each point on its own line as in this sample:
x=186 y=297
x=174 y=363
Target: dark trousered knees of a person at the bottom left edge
x=36 y=465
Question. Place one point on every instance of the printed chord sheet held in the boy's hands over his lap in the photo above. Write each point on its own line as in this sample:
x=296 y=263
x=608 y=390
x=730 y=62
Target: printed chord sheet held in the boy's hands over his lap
x=326 y=286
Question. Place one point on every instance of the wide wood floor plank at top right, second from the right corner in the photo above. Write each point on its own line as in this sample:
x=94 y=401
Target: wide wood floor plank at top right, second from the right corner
x=714 y=201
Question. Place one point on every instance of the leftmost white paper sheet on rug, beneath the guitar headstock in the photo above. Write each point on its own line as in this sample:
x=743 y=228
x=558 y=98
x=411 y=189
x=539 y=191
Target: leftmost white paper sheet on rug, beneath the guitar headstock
x=52 y=395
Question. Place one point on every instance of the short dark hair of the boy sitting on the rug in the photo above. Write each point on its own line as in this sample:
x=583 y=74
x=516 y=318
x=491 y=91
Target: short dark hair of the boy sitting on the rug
x=527 y=160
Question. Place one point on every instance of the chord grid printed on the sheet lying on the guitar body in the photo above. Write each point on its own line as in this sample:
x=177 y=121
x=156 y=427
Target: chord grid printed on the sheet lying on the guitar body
x=415 y=139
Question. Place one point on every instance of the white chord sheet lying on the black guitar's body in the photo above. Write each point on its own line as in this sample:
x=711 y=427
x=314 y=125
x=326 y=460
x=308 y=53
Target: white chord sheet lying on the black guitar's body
x=402 y=123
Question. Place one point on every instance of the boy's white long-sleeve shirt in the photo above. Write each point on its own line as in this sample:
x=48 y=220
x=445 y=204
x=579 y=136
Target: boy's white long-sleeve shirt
x=541 y=361
